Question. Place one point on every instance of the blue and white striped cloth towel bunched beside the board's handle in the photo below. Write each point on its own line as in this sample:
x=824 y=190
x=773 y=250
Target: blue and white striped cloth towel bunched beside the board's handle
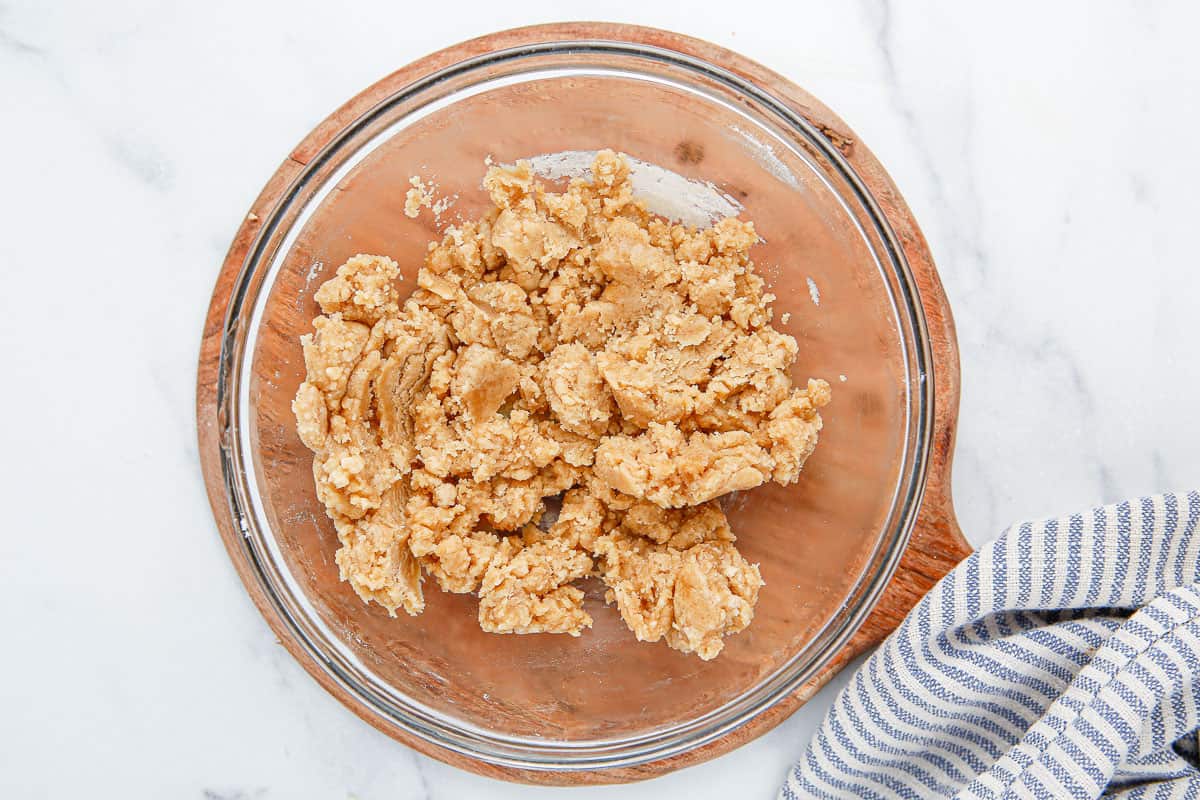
x=1061 y=660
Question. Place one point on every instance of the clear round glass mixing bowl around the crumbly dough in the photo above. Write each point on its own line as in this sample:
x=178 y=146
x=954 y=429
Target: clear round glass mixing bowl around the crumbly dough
x=827 y=545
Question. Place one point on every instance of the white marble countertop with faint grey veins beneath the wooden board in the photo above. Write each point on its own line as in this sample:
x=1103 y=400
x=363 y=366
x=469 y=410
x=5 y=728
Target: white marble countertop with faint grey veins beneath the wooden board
x=1048 y=151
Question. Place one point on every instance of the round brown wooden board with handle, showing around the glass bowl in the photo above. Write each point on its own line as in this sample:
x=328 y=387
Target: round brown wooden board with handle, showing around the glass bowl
x=937 y=544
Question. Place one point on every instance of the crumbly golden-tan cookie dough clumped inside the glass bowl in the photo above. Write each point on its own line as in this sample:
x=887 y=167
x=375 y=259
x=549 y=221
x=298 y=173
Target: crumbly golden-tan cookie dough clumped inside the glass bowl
x=568 y=348
